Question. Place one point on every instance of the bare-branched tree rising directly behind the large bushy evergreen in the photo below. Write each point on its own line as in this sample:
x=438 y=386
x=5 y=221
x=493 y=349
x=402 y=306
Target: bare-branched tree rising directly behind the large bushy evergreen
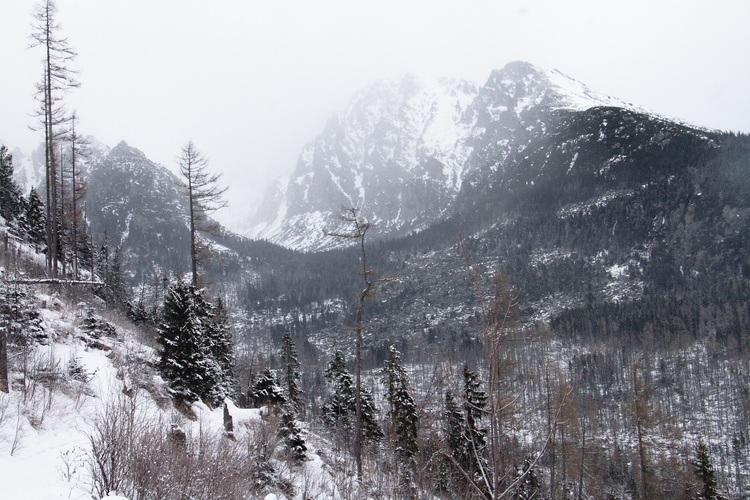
x=204 y=195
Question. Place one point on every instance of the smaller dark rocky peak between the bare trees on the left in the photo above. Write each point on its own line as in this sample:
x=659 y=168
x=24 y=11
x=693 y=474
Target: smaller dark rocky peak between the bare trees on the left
x=139 y=205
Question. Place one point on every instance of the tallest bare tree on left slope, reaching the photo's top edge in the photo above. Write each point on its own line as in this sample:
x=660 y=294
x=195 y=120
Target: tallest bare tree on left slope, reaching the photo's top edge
x=57 y=79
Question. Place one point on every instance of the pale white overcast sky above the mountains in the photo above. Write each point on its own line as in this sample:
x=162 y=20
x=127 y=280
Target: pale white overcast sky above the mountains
x=251 y=82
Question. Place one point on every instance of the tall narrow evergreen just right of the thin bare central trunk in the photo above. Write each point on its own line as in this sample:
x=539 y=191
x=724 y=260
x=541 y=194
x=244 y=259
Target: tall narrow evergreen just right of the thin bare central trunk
x=404 y=420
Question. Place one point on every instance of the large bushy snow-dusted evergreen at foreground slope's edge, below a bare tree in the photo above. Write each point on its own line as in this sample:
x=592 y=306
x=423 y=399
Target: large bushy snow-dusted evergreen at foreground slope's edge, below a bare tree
x=185 y=359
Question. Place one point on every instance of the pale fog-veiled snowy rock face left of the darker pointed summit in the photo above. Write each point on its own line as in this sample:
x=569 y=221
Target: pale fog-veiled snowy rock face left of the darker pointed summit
x=397 y=152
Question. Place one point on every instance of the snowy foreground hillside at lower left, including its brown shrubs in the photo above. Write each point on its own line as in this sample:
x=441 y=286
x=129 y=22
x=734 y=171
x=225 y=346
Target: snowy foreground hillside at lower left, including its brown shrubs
x=88 y=415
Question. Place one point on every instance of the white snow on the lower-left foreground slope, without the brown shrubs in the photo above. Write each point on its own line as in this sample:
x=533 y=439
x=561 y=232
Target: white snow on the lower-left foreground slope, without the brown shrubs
x=49 y=417
